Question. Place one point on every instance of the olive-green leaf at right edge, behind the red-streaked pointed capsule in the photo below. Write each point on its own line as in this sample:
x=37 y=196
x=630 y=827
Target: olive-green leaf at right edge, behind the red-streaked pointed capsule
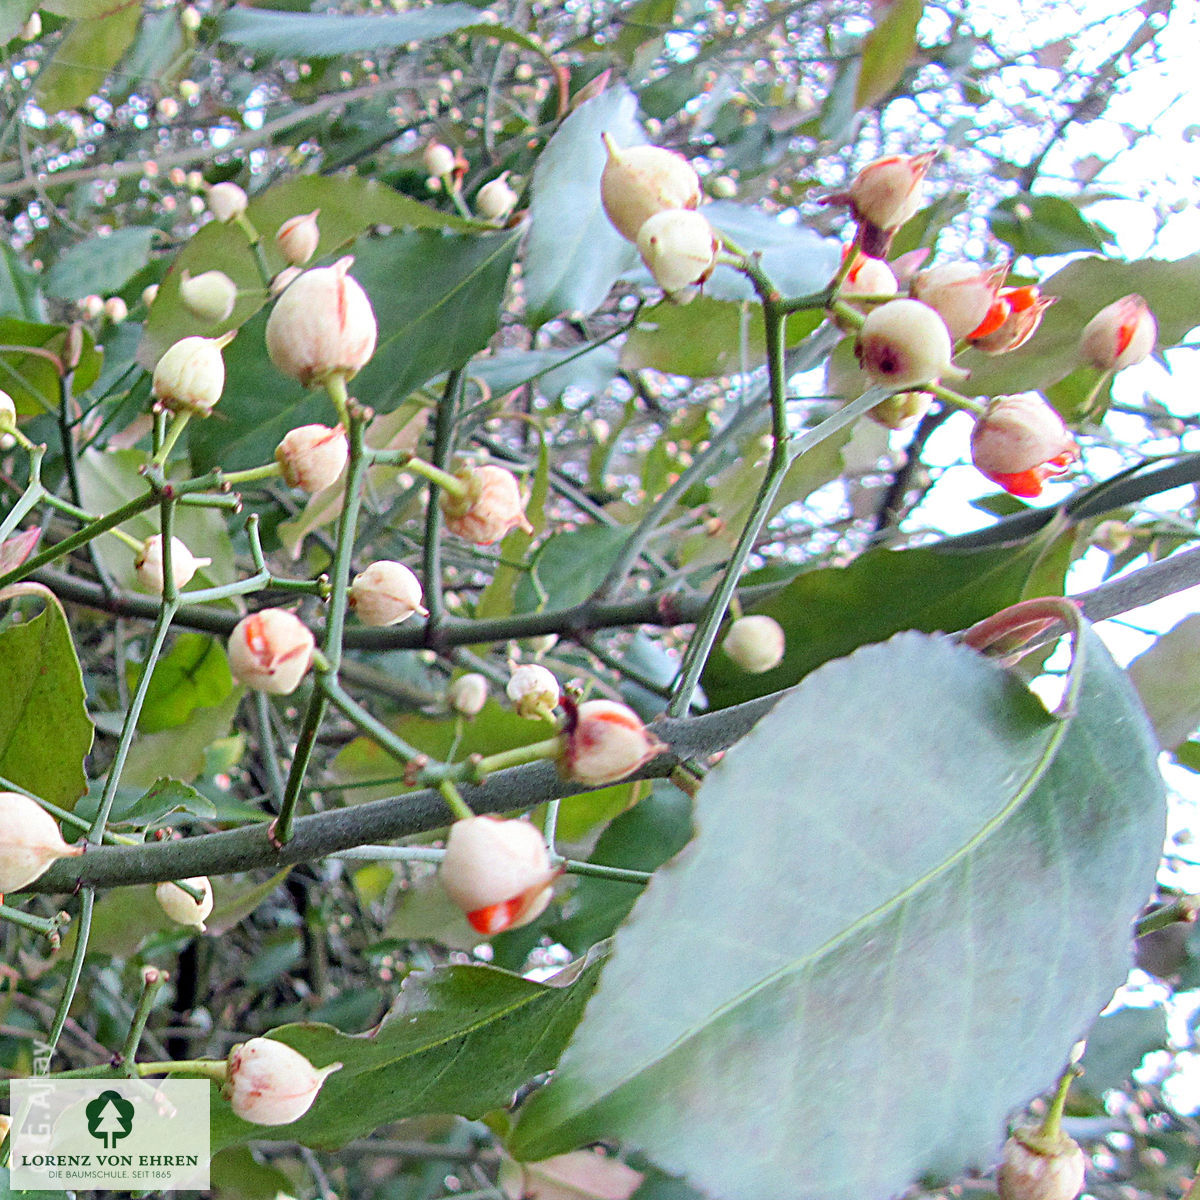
x=1084 y=287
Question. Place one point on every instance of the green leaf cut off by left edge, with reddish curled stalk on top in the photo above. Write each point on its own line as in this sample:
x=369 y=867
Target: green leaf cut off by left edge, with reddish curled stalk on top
x=45 y=733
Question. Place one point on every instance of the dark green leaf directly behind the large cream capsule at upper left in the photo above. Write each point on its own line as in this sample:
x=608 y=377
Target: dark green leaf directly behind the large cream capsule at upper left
x=424 y=331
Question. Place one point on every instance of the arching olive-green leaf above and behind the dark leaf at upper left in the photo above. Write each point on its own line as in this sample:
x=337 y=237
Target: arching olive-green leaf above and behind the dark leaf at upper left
x=349 y=205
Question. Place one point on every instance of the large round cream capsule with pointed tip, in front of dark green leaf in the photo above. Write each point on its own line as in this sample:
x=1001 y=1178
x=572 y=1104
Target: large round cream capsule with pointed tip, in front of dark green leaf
x=322 y=326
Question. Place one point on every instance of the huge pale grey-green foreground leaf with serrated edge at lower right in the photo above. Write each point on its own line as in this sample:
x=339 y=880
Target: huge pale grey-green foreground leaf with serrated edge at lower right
x=909 y=895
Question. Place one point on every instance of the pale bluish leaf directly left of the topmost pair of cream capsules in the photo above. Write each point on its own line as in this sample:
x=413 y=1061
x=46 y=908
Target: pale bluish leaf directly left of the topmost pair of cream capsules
x=574 y=254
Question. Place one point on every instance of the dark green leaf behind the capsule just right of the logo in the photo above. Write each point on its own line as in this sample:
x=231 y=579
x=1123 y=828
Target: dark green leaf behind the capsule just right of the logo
x=459 y=1040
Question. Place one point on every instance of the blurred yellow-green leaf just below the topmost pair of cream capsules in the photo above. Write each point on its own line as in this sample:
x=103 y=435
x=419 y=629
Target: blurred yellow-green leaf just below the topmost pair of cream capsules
x=706 y=338
